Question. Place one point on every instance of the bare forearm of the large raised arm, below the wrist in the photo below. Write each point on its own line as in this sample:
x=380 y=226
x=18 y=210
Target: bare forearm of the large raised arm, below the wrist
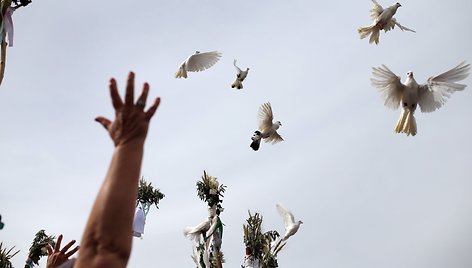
x=108 y=230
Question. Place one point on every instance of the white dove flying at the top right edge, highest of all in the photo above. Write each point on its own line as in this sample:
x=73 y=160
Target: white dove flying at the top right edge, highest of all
x=383 y=20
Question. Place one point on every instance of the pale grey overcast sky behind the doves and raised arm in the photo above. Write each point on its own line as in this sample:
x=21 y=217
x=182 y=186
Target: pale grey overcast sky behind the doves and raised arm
x=368 y=197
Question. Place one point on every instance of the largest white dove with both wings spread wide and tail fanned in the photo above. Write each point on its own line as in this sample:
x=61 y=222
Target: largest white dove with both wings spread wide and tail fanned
x=429 y=96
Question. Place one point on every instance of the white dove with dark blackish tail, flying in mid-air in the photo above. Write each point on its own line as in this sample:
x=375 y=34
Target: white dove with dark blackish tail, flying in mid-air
x=267 y=129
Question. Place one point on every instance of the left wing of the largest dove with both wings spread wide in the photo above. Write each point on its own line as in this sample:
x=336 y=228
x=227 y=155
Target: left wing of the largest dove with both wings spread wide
x=389 y=85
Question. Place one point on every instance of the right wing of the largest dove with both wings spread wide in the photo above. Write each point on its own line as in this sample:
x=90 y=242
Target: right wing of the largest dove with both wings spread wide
x=438 y=89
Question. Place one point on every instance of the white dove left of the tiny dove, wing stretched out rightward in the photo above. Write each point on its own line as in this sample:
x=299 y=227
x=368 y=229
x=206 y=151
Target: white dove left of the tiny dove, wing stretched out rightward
x=198 y=62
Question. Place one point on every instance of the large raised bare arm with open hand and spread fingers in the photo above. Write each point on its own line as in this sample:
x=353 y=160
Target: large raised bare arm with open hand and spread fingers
x=107 y=237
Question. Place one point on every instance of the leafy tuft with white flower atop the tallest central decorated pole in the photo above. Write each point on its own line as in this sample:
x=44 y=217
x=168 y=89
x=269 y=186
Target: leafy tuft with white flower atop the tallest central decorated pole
x=209 y=190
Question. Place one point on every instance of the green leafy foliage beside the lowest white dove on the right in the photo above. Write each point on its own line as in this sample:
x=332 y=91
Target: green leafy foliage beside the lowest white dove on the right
x=259 y=243
